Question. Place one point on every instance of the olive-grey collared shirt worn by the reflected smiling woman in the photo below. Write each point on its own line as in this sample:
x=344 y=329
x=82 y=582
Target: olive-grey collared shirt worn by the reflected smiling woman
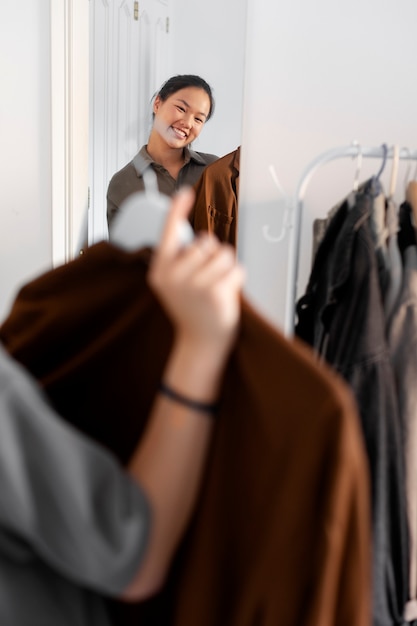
x=129 y=179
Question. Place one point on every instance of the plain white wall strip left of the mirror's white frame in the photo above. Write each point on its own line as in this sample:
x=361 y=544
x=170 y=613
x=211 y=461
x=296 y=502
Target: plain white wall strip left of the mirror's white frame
x=25 y=164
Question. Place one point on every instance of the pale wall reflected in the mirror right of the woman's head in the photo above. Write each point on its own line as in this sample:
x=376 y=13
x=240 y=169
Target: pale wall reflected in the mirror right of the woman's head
x=209 y=40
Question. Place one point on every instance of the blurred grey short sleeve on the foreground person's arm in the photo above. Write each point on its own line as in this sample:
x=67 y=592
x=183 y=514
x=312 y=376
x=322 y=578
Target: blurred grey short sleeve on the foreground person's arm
x=62 y=495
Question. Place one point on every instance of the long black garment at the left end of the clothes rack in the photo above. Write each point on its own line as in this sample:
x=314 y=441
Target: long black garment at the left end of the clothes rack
x=342 y=316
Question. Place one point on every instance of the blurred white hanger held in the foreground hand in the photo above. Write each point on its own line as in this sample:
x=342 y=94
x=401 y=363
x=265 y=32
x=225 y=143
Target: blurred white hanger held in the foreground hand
x=141 y=218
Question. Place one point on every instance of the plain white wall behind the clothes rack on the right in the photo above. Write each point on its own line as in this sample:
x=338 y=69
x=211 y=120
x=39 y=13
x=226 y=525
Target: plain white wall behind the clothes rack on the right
x=318 y=75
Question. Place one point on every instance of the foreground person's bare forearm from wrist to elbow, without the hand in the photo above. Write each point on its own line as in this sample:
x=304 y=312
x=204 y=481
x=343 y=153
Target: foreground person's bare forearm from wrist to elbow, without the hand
x=170 y=460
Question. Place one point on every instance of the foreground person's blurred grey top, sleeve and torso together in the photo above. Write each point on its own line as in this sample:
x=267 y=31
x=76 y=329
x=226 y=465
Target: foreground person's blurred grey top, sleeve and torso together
x=64 y=539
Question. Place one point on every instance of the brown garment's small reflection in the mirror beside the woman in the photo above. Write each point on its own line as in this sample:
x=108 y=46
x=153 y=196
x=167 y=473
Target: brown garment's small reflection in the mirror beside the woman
x=216 y=205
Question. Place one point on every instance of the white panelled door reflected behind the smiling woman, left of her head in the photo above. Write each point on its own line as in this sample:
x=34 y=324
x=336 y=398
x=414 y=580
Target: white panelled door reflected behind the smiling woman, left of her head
x=128 y=61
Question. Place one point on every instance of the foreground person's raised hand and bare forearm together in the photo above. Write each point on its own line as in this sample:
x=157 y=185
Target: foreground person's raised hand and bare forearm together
x=199 y=286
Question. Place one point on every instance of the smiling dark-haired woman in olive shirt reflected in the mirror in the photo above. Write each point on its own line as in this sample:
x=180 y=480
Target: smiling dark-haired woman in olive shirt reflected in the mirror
x=180 y=109
